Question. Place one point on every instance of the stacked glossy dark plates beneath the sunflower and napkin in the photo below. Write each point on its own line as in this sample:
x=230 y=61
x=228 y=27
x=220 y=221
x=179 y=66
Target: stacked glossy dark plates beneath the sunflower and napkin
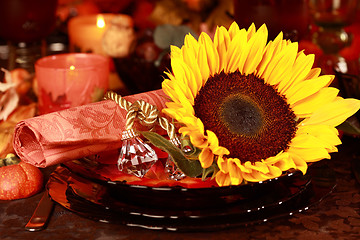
x=182 y=209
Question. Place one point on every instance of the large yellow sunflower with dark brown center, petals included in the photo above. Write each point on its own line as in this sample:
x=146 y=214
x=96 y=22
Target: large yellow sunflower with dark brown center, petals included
x=255 y=108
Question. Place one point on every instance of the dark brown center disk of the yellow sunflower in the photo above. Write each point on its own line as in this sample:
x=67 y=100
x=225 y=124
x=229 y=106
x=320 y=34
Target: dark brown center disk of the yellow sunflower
x=250 y=118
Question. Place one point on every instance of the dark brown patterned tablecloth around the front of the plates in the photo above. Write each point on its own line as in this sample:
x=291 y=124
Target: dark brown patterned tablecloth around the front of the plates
x=335 y=217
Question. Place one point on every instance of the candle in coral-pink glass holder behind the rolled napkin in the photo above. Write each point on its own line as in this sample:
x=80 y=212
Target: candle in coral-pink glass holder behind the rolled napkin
x=70 y=80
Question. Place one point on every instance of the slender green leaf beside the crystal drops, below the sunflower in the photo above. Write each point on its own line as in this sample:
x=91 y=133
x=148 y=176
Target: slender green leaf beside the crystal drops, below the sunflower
x=191 y=168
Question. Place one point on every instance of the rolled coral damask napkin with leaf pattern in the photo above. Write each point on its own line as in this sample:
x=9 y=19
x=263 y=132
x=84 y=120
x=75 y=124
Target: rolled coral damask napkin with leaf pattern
x=77 y=132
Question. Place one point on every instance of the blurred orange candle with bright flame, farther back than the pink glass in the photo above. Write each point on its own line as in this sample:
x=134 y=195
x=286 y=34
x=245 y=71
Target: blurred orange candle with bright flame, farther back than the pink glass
x=86 y=32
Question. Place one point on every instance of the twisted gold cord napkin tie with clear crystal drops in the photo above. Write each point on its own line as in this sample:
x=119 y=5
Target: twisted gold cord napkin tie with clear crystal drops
x=136 y=156
